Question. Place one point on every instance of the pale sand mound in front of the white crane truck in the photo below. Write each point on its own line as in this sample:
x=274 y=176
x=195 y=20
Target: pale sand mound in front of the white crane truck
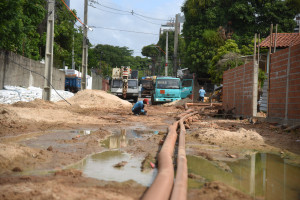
x=99 y=99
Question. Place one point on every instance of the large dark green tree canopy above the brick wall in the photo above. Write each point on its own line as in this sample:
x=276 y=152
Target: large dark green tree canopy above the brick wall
x=209 y=23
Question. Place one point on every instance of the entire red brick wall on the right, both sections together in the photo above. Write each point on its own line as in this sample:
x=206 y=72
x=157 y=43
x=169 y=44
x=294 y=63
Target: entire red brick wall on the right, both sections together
x=283 y=93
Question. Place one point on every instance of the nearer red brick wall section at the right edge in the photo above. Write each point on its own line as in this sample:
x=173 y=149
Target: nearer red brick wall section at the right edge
x=278 y=84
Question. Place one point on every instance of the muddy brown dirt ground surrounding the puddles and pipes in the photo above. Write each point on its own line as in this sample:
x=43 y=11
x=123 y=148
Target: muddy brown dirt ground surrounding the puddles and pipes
x=25 y=163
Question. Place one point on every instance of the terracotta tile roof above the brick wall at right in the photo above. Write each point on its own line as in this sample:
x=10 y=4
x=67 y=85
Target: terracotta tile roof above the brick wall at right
x=282 y=40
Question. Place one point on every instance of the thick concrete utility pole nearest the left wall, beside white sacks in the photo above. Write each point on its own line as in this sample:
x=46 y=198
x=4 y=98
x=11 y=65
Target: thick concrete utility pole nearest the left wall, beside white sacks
x=49 y=52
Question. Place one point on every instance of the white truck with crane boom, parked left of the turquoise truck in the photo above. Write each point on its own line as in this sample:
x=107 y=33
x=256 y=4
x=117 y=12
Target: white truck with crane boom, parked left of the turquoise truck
x=124 y=83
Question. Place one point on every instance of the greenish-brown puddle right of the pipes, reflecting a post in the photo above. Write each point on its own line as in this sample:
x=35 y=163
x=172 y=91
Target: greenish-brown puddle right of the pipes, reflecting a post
x=264 y=176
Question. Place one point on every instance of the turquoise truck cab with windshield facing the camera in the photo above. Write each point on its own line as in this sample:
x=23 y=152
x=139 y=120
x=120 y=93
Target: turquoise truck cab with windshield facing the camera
x=166 y=89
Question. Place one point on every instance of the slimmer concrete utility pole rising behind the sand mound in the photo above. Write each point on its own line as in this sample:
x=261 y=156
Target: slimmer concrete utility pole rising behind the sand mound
x=85 y=47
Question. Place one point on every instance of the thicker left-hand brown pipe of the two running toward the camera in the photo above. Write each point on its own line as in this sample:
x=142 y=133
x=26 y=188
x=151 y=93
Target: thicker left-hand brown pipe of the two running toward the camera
x=162 y=186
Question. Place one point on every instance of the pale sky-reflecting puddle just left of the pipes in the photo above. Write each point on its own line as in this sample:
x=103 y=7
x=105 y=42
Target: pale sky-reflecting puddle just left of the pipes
x=100 y=166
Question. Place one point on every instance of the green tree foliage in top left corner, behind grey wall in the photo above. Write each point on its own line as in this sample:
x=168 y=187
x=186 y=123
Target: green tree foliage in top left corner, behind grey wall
x=19 y=26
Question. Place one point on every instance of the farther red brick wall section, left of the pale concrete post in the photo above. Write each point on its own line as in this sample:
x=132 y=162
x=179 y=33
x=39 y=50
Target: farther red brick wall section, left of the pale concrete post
x=238 y=89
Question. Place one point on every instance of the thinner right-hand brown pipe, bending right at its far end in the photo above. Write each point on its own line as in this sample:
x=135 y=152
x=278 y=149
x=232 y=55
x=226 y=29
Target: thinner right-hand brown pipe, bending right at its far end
x=180 y=186
